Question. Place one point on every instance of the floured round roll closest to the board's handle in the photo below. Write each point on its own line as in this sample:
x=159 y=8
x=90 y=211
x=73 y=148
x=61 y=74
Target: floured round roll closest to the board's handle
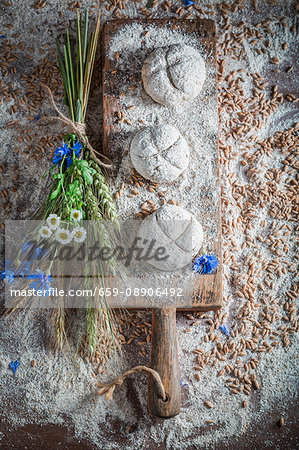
x=177 y=231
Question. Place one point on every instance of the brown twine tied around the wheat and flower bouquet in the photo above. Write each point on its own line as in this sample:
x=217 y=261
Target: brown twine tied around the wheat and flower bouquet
x=77 y=128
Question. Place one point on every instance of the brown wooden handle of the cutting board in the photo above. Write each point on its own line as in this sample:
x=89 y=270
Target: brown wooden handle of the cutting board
x=164 y=360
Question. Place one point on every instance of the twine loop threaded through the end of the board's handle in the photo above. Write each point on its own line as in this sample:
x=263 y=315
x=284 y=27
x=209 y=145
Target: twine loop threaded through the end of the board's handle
x=108 y=388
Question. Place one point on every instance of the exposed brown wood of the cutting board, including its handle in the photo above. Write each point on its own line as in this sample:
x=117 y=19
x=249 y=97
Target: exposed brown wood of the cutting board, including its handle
x=207 y=289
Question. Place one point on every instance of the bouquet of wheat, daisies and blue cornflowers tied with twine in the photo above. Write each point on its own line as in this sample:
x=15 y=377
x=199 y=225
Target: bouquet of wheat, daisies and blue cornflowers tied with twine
x=79 y=191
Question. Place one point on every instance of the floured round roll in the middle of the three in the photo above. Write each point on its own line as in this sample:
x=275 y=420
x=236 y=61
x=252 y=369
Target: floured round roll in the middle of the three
x=159 y=153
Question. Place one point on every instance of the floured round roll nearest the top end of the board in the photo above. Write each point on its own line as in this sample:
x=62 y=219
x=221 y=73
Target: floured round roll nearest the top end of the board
x=175 y=74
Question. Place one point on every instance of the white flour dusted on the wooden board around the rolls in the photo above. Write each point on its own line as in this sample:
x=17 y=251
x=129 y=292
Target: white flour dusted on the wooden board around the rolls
x=197 y=188
